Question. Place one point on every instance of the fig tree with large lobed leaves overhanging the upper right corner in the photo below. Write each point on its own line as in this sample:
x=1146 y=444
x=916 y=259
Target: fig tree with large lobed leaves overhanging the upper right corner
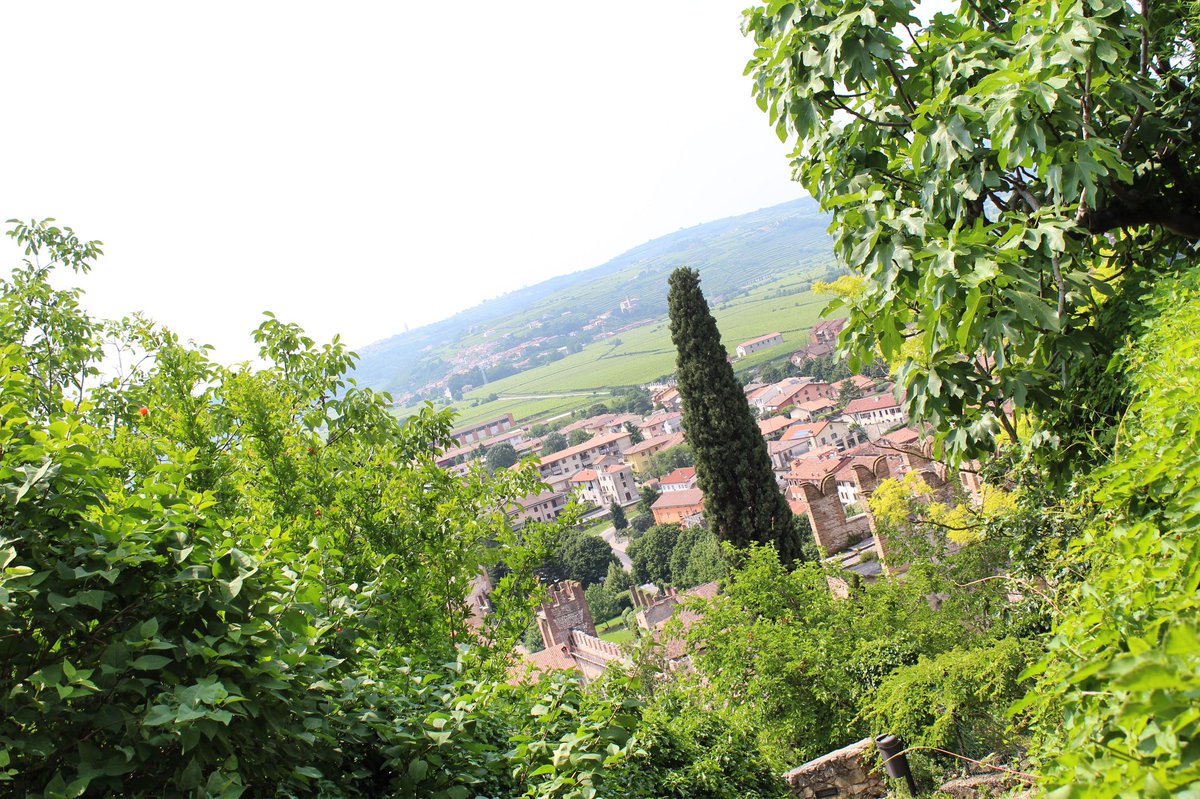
x=1000 y=177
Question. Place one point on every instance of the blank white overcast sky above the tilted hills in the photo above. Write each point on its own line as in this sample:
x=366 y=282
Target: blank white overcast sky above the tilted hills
x=356 y=167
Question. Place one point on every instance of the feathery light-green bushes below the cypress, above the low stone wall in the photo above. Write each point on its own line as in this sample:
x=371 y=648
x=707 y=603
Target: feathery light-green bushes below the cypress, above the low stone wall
x=801 y=665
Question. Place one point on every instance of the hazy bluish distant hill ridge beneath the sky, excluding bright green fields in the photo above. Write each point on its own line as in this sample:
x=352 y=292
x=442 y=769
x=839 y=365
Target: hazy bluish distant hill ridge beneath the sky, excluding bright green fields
x=733 y=255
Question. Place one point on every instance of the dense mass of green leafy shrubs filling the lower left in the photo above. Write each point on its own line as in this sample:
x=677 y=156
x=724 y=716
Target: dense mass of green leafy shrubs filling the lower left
x=226 y=582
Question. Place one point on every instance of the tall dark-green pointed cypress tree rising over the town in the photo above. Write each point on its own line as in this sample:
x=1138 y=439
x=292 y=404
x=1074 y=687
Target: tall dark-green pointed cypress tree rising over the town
x=742 y=501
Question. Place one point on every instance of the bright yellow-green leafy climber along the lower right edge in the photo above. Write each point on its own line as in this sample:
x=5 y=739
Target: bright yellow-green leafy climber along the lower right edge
x=1118 y=692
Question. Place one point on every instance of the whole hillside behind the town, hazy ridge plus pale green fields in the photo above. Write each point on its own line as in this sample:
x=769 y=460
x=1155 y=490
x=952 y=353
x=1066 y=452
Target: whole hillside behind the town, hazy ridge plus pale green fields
x=755 y=267
